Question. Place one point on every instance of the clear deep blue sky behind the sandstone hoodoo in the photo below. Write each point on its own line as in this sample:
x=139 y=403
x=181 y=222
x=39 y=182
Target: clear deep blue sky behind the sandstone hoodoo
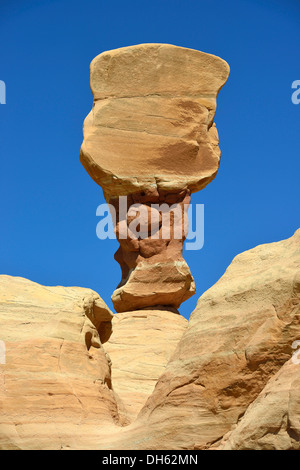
x=48 y=201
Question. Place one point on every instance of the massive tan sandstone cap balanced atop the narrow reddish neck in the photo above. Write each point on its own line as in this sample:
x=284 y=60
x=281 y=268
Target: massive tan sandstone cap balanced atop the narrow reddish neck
x=151 y=126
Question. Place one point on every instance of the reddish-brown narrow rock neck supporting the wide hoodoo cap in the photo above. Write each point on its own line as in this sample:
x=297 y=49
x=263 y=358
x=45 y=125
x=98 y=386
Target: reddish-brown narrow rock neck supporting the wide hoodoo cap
x=153 y=269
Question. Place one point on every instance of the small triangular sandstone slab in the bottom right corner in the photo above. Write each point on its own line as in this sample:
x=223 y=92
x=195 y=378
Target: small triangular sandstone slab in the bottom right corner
x=272 y=421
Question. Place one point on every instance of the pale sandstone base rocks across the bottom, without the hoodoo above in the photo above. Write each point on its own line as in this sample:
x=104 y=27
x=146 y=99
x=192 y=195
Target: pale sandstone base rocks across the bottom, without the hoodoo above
x=76 y=377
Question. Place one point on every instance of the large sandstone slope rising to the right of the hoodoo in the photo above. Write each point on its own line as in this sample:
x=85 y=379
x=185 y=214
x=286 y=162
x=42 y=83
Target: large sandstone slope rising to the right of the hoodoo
x=239 y=337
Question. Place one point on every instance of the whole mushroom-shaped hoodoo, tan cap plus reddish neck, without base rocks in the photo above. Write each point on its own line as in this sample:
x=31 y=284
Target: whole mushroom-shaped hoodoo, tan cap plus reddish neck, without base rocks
x=151 y=137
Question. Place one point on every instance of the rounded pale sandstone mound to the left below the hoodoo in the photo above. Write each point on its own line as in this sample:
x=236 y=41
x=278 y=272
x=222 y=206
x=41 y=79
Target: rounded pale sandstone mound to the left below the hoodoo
x=55 y=385
